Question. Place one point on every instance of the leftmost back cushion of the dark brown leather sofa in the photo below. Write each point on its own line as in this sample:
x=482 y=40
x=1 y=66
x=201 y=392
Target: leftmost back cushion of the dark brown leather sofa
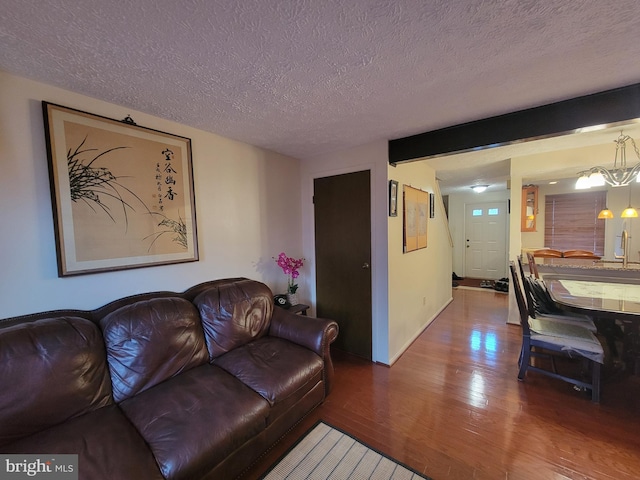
x=53 y=369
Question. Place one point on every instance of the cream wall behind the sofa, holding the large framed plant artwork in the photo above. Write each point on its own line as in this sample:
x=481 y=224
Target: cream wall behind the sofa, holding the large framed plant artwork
x=247 y=204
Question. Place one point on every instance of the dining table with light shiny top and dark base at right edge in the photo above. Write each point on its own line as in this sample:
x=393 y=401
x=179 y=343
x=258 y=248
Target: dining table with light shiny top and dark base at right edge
x=611 y=299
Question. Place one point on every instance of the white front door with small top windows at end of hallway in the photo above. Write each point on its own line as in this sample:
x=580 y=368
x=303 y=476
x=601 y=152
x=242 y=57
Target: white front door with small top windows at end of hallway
x=486 y=240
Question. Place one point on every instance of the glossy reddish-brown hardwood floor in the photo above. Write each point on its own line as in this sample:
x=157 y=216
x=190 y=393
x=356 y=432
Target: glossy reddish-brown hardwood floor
x=452 y=407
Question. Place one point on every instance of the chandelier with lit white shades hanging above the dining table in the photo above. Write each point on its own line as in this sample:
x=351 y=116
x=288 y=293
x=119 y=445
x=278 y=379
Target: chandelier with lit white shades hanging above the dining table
x=620 y=175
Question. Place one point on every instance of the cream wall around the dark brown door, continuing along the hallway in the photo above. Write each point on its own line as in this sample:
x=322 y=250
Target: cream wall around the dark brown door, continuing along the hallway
x=408 y=290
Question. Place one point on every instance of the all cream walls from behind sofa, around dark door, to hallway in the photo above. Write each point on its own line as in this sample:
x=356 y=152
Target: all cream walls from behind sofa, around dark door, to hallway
x=251 y=204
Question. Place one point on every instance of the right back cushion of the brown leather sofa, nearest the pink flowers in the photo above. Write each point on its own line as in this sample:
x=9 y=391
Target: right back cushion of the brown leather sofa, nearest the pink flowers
x=234 y=314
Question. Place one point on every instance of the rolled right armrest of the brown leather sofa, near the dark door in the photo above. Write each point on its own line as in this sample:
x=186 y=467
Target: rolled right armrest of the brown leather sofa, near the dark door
x=316 y=334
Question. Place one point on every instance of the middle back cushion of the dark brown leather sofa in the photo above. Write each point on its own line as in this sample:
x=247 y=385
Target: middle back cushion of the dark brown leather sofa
x=150 y=341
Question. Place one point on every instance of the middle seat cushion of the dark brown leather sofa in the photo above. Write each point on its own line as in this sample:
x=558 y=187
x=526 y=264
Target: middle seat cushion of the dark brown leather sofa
x=194 y=420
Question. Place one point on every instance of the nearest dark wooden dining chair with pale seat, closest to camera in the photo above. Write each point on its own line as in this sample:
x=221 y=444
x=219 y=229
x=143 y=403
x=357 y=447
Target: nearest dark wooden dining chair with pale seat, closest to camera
x=546 y=338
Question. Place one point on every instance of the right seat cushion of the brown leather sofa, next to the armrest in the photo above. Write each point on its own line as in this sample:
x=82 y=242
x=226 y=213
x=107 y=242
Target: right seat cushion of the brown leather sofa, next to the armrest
x=279 y=370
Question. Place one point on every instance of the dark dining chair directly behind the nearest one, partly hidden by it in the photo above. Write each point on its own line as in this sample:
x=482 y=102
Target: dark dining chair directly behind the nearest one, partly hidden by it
x=541 y=305
